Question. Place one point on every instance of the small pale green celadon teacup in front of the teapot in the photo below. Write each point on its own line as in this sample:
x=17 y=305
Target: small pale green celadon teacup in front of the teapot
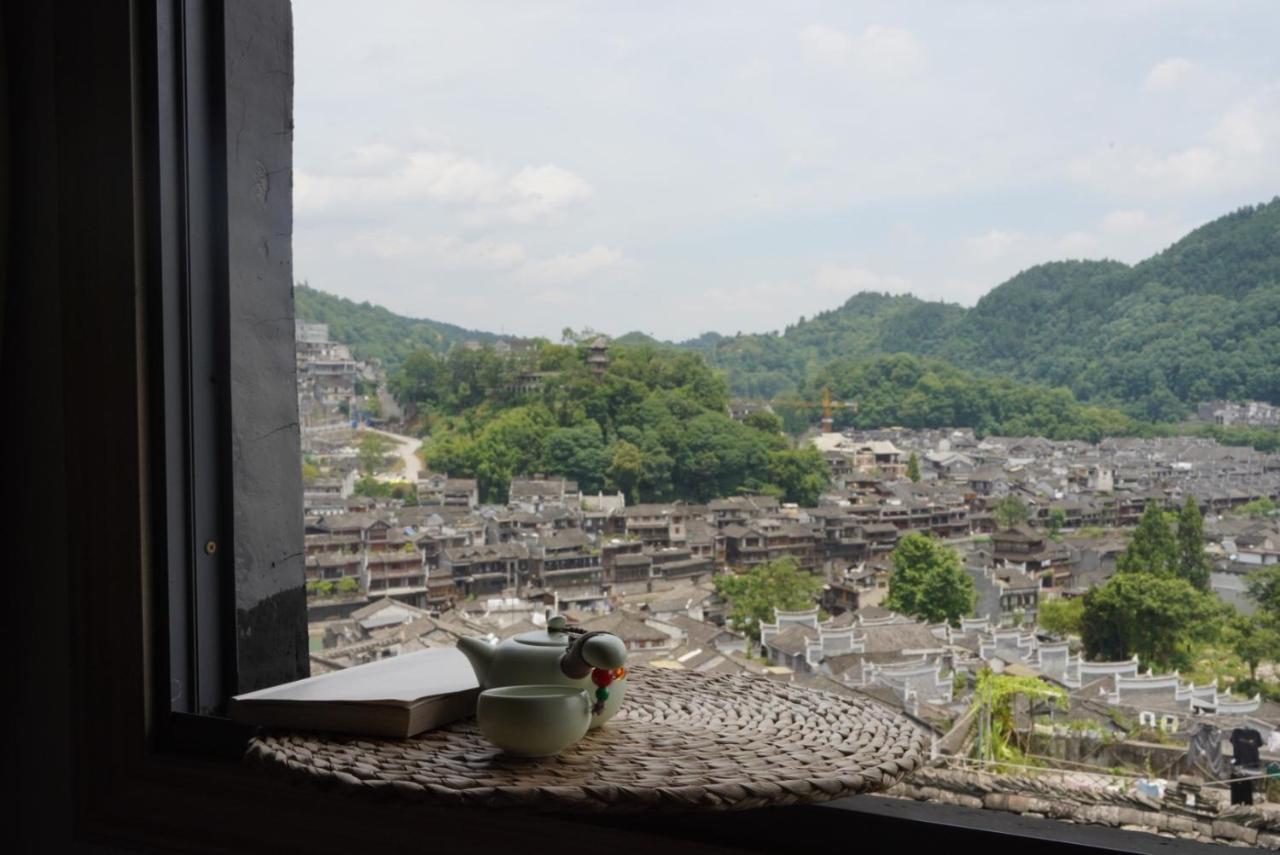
x=534 y=721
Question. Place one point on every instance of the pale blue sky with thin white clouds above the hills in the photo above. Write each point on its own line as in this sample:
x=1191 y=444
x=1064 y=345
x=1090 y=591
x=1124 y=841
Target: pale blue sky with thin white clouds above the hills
x=678 y=168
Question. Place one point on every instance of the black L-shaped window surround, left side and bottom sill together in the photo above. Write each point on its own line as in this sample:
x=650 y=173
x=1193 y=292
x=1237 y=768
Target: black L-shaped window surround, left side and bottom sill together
x=172 y=348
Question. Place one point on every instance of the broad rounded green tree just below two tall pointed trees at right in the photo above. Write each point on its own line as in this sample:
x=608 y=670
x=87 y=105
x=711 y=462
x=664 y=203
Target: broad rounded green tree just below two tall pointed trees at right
x=1158 y=618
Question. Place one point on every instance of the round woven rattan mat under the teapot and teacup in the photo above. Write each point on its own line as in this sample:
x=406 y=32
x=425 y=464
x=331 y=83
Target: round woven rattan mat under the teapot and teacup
x=682 y=742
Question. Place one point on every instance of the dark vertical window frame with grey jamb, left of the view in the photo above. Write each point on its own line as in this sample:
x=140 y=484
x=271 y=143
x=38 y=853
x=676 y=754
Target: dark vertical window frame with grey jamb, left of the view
x=225 y=414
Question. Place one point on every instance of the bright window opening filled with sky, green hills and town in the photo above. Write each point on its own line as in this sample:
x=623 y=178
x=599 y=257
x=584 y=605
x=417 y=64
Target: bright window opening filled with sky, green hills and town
x=926 y=355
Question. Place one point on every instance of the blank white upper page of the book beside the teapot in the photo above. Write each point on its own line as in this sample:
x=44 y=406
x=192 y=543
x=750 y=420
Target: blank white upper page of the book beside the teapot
x=401 y=679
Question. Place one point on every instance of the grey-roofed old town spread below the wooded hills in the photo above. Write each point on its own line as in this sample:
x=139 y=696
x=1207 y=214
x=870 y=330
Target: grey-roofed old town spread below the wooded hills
x=388 y=577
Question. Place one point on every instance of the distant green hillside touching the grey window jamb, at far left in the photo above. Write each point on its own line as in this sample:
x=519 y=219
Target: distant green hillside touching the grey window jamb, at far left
x=374 y=332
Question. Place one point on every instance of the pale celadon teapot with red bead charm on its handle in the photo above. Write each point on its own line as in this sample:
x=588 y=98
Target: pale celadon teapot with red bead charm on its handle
x=560 y=656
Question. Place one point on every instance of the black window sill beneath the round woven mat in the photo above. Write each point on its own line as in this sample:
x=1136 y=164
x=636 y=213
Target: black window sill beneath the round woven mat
x=207 y=771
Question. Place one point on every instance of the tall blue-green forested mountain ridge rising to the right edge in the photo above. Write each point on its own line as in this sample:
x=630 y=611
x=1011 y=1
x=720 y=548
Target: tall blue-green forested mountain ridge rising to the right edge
x=1200 y=321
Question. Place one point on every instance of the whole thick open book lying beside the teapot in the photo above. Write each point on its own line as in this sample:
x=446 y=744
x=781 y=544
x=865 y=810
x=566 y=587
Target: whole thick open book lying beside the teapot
x=397 y=697
